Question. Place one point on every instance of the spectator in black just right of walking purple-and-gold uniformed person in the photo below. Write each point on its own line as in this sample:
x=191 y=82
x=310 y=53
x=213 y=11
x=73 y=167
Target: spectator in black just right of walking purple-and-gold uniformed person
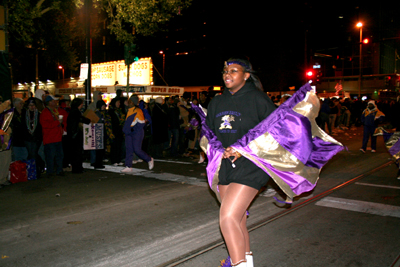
x=160 y=127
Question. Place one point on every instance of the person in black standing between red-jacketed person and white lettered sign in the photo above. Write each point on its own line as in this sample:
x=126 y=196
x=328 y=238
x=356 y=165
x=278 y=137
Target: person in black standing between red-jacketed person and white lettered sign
x=75 y=134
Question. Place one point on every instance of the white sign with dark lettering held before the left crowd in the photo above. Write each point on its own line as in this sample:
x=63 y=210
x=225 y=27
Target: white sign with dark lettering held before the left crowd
x=93 y=136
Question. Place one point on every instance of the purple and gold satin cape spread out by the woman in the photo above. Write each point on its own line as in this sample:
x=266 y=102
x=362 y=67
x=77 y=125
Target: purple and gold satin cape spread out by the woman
x=291 y=130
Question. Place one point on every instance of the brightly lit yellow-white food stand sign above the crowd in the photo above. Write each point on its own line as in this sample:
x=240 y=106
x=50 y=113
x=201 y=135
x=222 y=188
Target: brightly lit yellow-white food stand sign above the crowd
x=107 y=73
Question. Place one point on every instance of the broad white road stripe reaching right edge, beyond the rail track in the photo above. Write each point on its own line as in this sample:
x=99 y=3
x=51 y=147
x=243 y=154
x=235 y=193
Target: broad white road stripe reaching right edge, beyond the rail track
x=360 y=206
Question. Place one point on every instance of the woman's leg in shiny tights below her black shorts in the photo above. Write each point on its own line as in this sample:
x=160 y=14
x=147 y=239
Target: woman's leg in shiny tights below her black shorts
x=235 y=199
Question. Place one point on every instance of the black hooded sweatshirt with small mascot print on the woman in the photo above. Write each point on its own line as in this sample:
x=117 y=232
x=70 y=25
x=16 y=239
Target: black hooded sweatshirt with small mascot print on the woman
x=230 y=117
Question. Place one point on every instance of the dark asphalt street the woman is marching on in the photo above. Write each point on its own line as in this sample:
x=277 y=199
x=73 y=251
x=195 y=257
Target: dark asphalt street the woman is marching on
x=104 y=218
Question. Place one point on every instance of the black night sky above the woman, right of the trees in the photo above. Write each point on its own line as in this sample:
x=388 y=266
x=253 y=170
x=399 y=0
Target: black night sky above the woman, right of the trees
x=274 y=34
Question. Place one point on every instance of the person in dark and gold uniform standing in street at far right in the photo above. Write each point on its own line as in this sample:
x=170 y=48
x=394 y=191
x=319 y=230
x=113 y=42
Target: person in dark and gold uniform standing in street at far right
x=370 y=117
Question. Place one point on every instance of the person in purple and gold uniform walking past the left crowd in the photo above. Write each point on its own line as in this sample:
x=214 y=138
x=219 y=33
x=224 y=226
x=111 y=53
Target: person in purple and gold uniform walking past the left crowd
x=134 y=134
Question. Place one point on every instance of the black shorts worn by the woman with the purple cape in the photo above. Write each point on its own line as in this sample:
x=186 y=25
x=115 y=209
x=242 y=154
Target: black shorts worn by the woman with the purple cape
x=246 y=173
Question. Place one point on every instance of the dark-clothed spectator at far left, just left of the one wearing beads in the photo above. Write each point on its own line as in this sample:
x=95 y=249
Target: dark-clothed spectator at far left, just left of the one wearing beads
x=19 y=151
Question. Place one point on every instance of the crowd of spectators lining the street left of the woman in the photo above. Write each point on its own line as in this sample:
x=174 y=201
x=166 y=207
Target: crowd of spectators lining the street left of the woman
x=49 y=130
